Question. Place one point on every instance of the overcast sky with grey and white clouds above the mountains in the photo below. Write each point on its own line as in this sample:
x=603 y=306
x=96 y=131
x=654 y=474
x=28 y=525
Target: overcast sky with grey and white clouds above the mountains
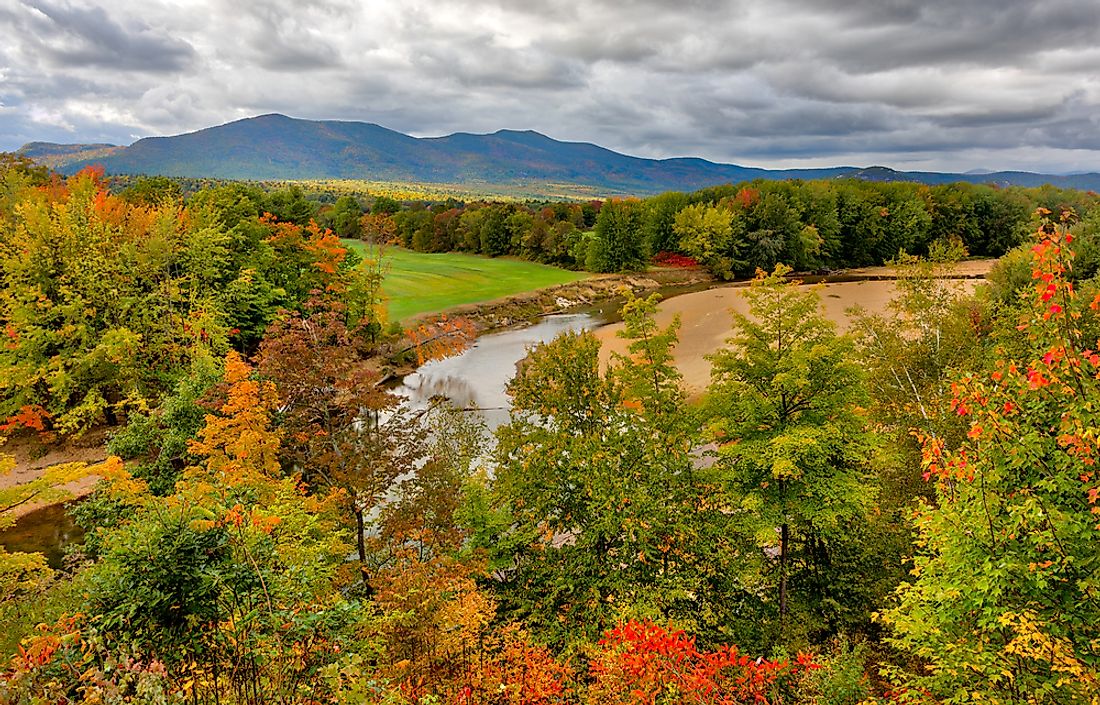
x=949 y=85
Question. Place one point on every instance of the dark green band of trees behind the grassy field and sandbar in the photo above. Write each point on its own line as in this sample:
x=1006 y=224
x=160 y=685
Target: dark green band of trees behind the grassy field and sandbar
x=733 y=230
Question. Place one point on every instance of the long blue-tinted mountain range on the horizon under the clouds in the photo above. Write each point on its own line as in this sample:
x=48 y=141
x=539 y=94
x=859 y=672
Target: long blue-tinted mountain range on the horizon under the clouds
x=277 y=148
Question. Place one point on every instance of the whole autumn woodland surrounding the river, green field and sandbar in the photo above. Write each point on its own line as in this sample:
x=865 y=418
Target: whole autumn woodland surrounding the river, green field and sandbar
x=906 y=513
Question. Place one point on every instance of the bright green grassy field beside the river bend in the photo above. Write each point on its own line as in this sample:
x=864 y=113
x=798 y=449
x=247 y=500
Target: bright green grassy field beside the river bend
x=420 y=283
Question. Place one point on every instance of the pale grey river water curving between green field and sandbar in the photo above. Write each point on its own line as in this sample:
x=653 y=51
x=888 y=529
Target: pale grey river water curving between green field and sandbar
x=477 y=379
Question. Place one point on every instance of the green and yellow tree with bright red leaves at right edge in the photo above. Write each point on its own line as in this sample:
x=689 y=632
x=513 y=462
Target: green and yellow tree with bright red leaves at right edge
x=1005 y=597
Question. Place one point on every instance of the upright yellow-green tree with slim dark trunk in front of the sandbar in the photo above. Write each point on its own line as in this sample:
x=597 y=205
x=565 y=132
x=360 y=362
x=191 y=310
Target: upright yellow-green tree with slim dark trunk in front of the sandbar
x=794 y=446
